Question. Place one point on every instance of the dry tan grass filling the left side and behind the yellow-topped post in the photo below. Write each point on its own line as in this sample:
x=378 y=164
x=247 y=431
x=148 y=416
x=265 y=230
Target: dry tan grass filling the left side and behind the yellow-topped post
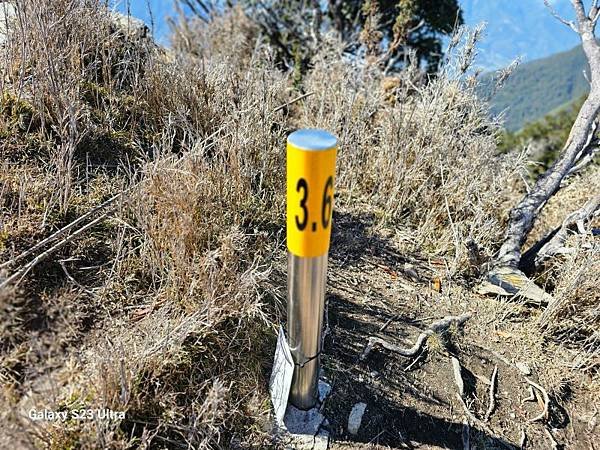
x=166 y=310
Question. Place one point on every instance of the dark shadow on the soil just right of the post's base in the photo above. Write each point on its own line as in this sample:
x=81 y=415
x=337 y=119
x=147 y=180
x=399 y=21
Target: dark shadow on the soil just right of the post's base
x=401 y=410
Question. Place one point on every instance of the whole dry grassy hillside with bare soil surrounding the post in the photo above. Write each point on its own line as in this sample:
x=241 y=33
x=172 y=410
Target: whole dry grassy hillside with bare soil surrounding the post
x=143 y=258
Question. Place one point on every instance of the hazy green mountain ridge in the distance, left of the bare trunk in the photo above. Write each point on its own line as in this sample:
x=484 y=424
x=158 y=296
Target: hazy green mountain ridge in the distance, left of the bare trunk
x=538 y=87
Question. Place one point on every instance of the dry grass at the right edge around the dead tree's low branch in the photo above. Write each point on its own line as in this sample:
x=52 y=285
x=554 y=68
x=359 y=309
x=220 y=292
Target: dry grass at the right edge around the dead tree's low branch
x=574 y=317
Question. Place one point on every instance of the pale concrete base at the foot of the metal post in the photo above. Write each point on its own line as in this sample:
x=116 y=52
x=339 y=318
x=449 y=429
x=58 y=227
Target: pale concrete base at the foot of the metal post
x=306 y=430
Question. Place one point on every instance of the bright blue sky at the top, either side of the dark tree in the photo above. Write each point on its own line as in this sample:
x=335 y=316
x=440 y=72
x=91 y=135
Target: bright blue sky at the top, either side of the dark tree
x=514 y=27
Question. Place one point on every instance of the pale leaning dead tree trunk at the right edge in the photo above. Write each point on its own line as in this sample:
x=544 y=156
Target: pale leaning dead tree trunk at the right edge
x=576 y=149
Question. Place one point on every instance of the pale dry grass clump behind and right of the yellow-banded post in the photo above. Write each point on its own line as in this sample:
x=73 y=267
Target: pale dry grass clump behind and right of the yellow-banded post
x=424 y=158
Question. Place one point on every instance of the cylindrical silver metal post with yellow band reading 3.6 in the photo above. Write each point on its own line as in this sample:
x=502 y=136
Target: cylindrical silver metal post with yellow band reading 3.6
x=311 y=156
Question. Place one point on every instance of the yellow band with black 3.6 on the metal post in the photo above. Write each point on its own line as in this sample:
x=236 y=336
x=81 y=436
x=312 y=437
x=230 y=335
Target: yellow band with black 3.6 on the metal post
x=310 y=182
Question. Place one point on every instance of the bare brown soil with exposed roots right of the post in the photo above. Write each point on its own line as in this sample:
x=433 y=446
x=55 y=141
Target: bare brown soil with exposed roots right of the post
x=412 y=402
